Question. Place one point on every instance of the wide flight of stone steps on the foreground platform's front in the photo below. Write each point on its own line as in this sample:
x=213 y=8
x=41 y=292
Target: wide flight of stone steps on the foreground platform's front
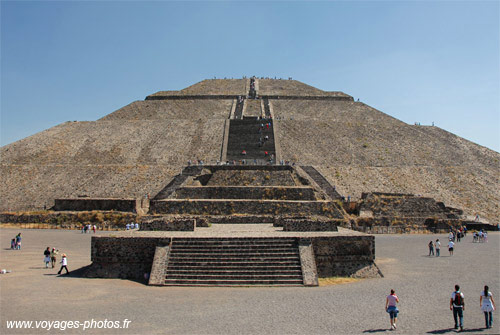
x=234 y=262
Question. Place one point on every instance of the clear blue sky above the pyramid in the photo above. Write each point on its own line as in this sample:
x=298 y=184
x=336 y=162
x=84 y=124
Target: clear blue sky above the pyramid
x=417 y=61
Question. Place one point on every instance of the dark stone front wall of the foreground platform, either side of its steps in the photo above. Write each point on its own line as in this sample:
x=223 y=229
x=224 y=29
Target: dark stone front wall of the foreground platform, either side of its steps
x=132 y=257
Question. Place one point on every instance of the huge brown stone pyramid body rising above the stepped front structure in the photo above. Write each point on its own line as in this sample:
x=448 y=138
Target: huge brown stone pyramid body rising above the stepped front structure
x=138 y=149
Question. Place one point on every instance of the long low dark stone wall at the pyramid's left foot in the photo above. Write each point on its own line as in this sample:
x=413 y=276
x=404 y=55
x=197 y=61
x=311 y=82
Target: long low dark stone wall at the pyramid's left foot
x=90 y=204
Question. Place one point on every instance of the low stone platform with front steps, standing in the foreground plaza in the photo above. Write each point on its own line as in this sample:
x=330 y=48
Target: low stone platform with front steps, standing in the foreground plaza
x=132 y=254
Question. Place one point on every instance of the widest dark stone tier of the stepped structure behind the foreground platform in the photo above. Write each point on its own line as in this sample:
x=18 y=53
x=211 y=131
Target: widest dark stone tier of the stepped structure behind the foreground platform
x=255 y=207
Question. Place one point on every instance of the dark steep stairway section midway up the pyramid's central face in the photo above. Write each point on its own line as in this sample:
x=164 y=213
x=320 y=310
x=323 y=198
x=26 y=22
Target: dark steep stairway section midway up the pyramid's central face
x=249 y=135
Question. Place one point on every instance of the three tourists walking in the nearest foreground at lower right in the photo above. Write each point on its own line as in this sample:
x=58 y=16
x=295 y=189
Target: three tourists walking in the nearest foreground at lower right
x=457 y=306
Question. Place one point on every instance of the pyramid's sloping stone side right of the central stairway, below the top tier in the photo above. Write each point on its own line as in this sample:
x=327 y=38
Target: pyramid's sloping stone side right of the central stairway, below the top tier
x=360 y=149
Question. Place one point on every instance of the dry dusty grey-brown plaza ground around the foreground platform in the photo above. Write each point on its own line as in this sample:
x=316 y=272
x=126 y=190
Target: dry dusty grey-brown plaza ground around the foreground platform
x=423 y=284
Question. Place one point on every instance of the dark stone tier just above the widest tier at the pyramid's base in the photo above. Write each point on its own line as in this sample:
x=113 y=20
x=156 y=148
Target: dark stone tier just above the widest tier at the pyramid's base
x=245 y=192
